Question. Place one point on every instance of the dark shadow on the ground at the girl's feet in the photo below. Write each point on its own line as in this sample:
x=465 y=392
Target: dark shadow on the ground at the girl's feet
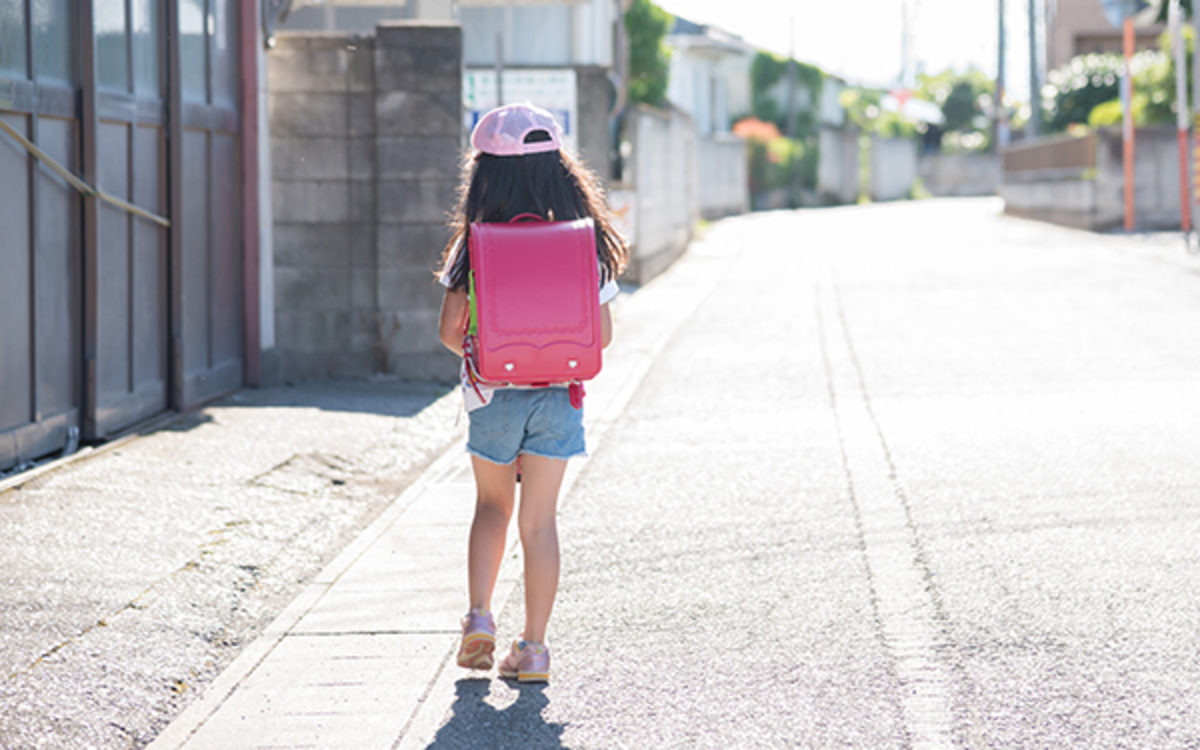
x=478 y=724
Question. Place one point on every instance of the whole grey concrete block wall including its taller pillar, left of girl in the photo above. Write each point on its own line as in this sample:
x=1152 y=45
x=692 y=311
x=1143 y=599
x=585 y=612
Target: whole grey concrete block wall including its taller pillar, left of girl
x=365 y=141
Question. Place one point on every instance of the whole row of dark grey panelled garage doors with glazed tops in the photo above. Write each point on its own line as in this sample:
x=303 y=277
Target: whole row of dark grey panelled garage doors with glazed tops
x=106 y=317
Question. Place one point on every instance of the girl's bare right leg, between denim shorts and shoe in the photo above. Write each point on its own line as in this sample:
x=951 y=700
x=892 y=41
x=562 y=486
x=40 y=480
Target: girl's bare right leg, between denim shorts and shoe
x=541 y=482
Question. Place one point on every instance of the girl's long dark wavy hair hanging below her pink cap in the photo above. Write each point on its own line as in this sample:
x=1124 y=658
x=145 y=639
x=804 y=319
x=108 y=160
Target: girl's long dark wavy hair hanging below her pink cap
x=553 y=185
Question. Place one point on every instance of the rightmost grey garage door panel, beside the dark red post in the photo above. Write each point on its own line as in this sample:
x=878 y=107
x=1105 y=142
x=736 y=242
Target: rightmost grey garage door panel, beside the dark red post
x=207 y=250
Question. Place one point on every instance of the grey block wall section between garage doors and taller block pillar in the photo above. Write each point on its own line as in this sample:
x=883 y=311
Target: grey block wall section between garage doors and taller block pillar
x=322 y=128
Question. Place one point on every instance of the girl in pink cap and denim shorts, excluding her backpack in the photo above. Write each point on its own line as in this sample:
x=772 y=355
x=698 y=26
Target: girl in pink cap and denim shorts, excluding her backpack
x=519 y=167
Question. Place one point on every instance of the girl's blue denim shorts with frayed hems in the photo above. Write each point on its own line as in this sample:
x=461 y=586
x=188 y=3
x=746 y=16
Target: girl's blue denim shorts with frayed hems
x=538 y=422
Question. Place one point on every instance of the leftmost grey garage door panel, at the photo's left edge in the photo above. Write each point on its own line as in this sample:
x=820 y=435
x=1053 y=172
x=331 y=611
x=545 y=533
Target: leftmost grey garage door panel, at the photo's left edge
x=40 y=236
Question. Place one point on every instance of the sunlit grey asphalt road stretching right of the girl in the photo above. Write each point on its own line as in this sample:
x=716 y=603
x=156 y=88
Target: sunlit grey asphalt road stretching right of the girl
x=913 y=476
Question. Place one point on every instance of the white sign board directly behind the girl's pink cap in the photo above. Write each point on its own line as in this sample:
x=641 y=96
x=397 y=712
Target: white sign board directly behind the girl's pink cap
x=554 y=89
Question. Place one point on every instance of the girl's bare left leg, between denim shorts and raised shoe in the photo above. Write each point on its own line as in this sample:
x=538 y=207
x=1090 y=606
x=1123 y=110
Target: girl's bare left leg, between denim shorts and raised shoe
x=496 y=488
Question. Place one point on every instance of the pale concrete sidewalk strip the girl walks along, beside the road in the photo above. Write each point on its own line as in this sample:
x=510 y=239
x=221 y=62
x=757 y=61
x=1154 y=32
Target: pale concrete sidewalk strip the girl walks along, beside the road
x=363 y=658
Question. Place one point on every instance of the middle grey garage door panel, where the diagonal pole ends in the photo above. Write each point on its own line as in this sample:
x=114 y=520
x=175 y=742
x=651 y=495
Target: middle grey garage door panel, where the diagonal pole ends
x=125 y=256
